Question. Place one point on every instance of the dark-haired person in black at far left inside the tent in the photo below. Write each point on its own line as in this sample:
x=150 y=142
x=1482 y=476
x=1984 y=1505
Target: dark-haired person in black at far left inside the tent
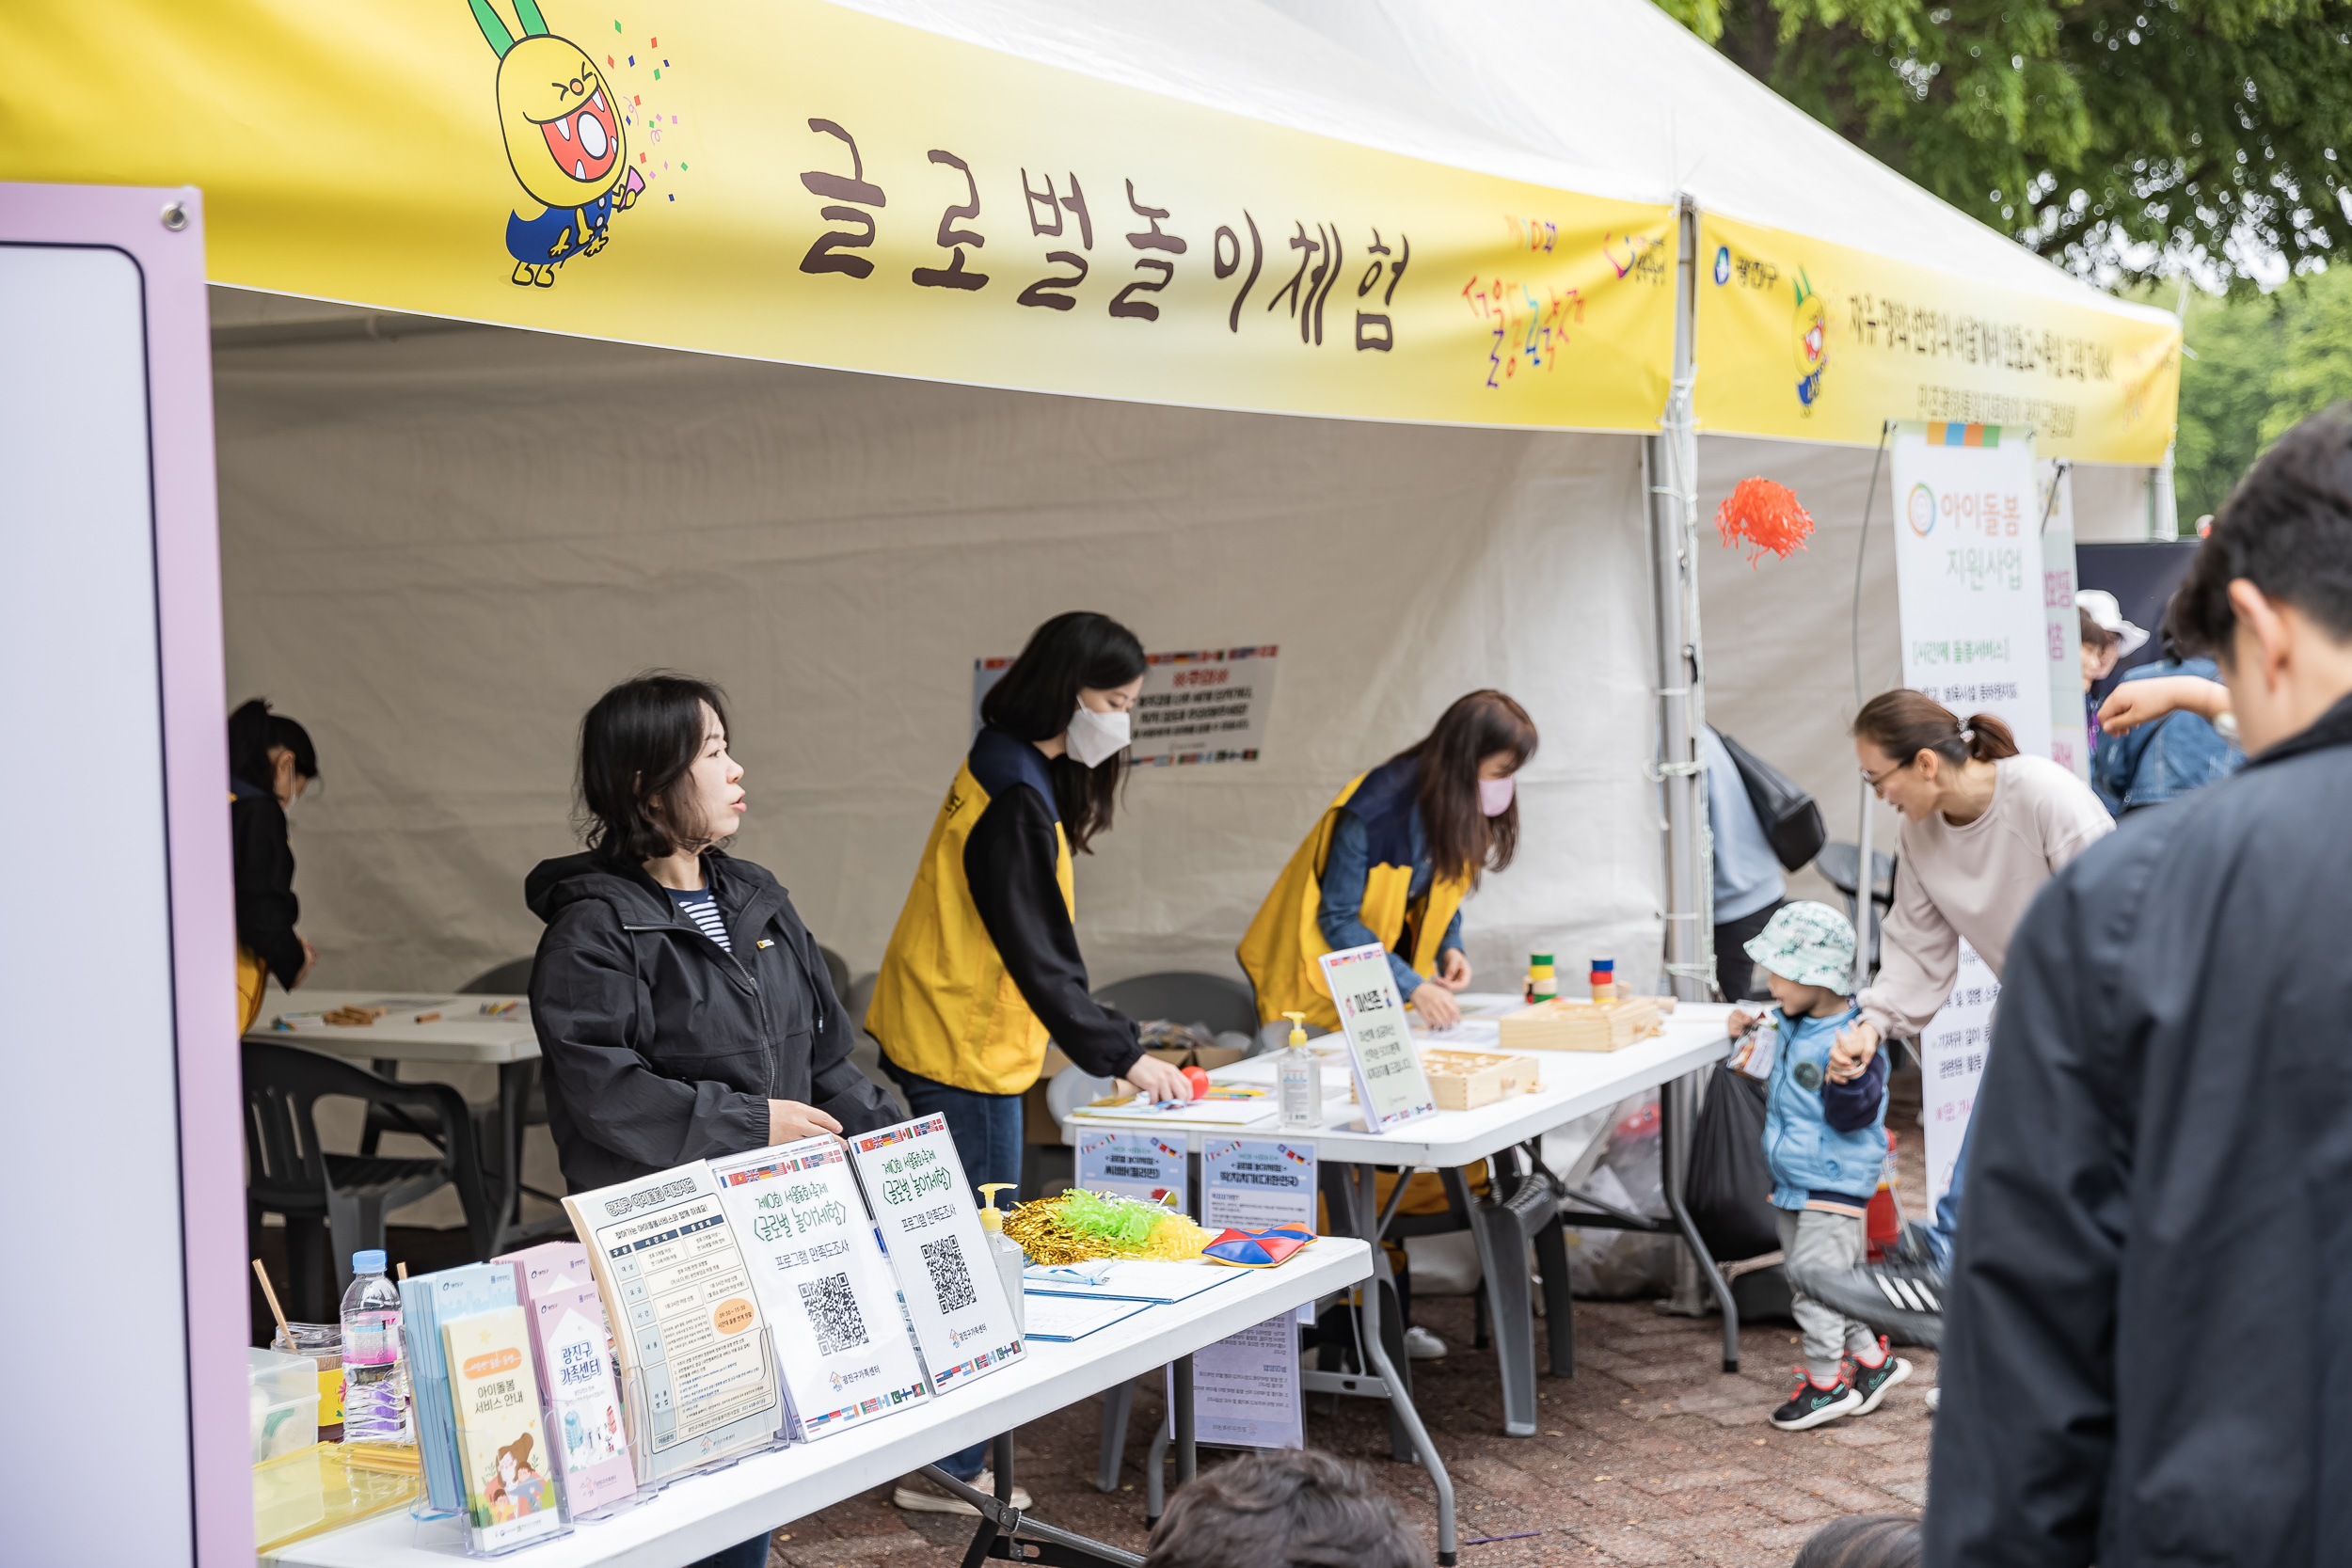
x=269 y=765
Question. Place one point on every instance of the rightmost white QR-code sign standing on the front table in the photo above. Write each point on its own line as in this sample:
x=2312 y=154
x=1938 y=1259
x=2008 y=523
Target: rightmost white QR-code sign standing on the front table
x=930 y=1231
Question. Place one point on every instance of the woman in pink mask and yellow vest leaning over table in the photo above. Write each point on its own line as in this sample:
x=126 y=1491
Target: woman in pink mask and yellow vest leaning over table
x=1391 y=864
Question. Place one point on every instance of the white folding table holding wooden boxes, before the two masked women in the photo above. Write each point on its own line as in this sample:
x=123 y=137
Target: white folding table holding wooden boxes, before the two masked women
x=1572 y=1085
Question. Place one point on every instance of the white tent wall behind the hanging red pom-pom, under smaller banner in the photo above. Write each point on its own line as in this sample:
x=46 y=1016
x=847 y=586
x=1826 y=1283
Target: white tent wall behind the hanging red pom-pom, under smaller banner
x=1782 y=636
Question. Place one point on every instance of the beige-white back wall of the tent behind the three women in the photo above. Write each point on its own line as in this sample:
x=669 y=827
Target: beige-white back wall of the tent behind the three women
x=441 y=549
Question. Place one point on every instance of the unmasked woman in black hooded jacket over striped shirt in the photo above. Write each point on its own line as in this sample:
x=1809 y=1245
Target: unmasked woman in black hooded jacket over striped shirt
x=681 y=1005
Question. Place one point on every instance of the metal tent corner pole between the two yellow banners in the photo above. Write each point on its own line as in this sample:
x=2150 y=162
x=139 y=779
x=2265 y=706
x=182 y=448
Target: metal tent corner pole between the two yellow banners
x=1671 y=469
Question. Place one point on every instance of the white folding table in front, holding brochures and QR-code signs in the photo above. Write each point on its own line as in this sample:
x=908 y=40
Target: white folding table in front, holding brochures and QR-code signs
x=709 y=1513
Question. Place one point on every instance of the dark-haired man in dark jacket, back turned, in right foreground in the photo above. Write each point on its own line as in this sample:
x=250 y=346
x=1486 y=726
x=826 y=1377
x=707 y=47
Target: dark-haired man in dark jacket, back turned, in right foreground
x=2146 y=1313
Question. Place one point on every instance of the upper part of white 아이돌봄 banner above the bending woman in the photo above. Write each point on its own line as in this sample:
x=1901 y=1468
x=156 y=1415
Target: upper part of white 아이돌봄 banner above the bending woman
x=1970 y=575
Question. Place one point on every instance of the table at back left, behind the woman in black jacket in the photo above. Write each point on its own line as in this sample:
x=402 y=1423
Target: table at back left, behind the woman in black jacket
x=462 y=1033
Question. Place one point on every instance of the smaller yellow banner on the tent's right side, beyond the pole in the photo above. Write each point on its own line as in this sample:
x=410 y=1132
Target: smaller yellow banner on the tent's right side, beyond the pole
x=1817 y=342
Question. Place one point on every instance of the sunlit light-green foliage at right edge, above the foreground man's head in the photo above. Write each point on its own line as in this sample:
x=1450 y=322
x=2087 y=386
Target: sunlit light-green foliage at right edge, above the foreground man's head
x=2261 y=366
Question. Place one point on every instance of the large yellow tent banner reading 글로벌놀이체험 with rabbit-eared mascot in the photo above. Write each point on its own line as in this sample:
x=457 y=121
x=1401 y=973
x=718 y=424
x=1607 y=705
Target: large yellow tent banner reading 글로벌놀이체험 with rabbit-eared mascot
x=801 y=182
